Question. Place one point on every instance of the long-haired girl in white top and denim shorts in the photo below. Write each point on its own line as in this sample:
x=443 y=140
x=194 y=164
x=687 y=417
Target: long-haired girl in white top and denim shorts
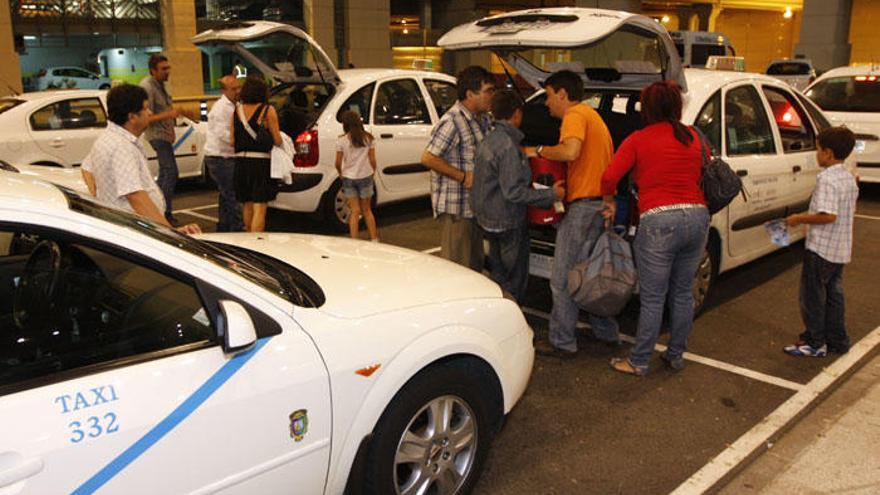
x=356 y=164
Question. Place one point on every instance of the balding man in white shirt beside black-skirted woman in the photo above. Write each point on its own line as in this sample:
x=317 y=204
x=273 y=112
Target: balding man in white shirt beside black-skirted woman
x=220 y=154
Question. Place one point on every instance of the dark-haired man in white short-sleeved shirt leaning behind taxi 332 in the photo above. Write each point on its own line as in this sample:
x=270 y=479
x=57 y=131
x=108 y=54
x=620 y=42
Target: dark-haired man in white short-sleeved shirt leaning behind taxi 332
x=116 y=168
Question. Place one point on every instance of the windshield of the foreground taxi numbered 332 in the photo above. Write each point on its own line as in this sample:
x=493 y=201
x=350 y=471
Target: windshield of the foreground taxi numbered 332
x=269 y=273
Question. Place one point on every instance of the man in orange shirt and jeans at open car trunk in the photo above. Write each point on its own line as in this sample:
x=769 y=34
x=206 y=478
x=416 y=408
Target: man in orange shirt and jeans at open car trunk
x=585 y=143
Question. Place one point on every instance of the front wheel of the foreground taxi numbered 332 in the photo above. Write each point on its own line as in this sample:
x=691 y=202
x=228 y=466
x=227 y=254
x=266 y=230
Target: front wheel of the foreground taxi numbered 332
x=448 y=421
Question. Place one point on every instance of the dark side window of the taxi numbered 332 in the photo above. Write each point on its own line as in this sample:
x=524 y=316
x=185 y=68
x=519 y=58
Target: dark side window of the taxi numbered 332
x=65 y=305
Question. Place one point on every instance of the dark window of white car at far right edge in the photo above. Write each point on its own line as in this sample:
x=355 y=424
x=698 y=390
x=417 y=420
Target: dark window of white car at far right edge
x=847 y=94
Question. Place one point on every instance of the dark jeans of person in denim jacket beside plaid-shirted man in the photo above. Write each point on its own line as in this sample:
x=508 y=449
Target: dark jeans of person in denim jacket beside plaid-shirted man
x=509 y=260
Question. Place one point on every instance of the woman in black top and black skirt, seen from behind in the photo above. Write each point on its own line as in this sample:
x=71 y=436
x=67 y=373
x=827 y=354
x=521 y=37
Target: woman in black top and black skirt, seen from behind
x=254 y=132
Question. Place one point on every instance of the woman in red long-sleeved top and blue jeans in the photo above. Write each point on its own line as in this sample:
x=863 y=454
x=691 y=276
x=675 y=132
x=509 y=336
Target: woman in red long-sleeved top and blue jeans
x=666 y=162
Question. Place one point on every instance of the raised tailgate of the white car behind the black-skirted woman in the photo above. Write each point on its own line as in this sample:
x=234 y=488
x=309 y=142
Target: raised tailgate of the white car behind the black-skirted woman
x=280 y=51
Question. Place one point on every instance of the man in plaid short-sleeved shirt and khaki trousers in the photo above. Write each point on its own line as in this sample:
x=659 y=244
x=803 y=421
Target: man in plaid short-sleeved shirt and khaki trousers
x=450 y=156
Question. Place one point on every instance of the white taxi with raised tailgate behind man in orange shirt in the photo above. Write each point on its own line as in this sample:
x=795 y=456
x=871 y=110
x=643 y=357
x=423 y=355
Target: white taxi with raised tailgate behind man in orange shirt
x=758 y=124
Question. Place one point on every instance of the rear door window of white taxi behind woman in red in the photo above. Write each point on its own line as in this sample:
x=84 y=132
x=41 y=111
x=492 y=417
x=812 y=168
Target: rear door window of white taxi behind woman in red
x=747 y=128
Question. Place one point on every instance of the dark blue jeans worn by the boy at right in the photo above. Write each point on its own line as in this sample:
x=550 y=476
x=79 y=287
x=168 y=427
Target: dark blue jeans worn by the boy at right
x=822 y=304
